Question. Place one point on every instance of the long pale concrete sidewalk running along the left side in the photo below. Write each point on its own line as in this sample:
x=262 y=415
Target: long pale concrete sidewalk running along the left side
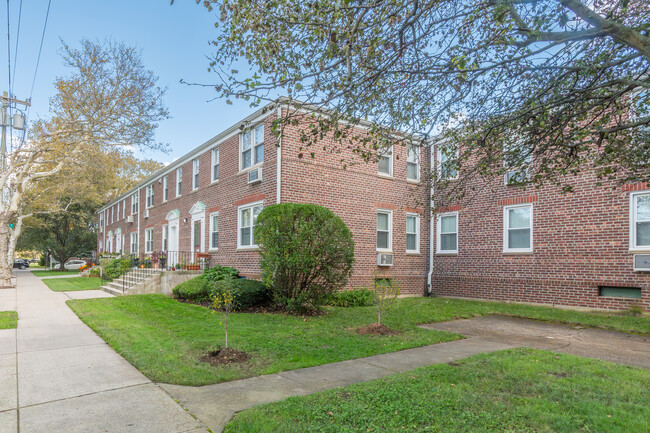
x=57 y=375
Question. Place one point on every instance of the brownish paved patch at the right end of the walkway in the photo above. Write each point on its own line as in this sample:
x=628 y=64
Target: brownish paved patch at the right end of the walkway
x=609 y=346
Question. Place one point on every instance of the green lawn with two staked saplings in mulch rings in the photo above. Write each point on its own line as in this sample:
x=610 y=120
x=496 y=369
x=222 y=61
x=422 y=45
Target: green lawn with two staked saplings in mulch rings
x=165 y=339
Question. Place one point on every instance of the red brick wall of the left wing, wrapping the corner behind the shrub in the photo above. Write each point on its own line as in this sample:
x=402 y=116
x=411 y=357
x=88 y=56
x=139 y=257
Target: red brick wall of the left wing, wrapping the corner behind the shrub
x=354 y=194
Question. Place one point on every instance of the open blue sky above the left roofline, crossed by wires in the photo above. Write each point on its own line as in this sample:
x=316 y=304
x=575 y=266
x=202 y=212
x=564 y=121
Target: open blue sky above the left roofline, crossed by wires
x=174 y=41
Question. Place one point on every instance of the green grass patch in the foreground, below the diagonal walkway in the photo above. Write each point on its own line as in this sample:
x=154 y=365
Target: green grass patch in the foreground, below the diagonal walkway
x=518 y=390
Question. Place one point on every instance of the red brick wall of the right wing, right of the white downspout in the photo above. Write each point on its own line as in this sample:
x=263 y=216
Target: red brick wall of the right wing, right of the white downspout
x=580 y=242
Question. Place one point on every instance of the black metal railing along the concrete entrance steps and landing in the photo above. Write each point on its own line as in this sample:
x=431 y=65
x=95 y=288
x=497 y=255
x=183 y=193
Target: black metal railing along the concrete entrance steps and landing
x=139 y=267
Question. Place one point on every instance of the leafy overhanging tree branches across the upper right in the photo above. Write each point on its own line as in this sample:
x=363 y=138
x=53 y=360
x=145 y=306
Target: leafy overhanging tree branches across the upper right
x=555 y=75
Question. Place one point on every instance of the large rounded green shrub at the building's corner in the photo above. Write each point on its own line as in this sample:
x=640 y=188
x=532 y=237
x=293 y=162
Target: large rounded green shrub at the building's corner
x=306 y=252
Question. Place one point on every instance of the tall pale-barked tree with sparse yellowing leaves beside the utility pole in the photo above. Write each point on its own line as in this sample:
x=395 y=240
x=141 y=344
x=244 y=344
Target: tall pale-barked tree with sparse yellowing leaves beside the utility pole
x=109 y=102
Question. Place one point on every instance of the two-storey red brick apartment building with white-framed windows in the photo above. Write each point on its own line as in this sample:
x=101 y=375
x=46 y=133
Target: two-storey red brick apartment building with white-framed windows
x=508 y=243
